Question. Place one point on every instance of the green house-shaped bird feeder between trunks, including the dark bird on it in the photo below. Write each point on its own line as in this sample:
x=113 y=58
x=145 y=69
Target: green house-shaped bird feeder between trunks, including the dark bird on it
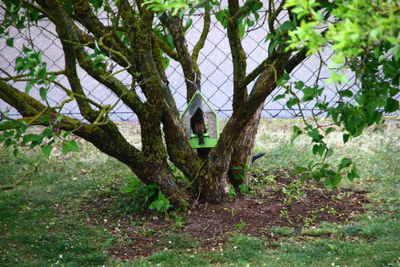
x=201 y=122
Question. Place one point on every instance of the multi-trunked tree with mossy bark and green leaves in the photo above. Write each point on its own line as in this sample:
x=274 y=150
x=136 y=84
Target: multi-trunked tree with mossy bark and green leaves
x=136 y=42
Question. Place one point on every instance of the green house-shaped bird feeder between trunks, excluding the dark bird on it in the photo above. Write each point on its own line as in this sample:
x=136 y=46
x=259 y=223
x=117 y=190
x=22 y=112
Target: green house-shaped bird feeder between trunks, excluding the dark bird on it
x=211 y=122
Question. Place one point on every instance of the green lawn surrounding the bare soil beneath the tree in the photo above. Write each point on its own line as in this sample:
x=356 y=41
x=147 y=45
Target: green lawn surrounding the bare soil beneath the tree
x=41 y=223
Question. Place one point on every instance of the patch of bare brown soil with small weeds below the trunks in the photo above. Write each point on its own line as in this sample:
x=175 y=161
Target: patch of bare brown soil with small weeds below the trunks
x=276 y=200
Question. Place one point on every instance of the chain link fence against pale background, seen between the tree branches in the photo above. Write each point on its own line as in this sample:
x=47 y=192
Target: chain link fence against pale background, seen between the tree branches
x=215 y=63
